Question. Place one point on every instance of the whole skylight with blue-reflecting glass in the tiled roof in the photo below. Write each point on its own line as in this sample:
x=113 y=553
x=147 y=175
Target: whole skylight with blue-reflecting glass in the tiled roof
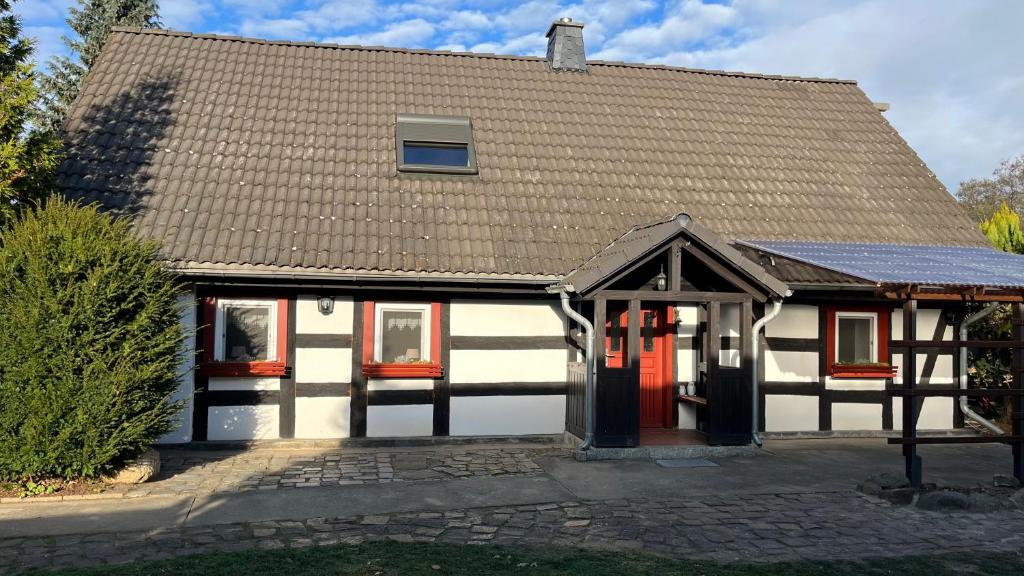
x=436 y=144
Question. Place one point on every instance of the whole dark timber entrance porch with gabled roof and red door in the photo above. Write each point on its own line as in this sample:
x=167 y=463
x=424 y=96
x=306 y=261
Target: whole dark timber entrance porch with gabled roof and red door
x=636 y=284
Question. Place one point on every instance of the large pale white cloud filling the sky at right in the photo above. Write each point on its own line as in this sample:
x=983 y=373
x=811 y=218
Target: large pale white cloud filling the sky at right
x=952 y=70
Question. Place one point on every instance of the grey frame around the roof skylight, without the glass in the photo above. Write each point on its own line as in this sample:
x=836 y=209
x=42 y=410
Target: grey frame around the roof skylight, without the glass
x=456 y=132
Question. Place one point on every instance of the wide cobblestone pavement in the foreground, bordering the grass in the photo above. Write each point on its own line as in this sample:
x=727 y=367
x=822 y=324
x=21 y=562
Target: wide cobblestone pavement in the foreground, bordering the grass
x=819 y=526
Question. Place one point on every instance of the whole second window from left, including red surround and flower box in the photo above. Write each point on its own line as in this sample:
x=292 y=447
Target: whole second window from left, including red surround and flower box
x=402 y=340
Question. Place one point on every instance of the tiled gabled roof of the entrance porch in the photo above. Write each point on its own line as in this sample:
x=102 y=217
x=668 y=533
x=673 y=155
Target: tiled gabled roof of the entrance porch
x=636 y=245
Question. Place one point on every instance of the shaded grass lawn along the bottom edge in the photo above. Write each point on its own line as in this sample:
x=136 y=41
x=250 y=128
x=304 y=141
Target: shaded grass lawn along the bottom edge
x=387 y=559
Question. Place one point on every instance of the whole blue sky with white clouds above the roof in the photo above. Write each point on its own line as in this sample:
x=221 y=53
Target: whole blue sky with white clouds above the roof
x=952 y=70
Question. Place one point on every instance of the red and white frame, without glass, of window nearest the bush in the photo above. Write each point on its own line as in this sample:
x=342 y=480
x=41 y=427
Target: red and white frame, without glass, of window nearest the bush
x=212 y=363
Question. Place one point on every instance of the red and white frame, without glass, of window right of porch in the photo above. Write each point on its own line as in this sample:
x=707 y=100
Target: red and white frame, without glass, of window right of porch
x=880 y=368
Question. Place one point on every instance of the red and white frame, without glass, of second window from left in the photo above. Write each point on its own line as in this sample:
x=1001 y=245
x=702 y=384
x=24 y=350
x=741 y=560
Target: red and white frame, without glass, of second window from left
x=373 y=368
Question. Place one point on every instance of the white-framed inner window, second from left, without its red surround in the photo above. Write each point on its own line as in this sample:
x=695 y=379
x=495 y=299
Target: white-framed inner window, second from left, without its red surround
x=402 y=335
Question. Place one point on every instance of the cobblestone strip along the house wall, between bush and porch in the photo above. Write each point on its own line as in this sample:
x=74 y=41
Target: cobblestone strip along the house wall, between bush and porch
x=207 y=472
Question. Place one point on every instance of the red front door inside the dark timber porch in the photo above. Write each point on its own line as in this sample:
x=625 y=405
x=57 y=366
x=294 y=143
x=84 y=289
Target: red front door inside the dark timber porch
x=656 y=367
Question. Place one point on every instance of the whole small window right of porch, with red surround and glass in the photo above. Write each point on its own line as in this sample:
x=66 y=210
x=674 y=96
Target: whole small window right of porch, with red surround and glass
x=858 y=343
